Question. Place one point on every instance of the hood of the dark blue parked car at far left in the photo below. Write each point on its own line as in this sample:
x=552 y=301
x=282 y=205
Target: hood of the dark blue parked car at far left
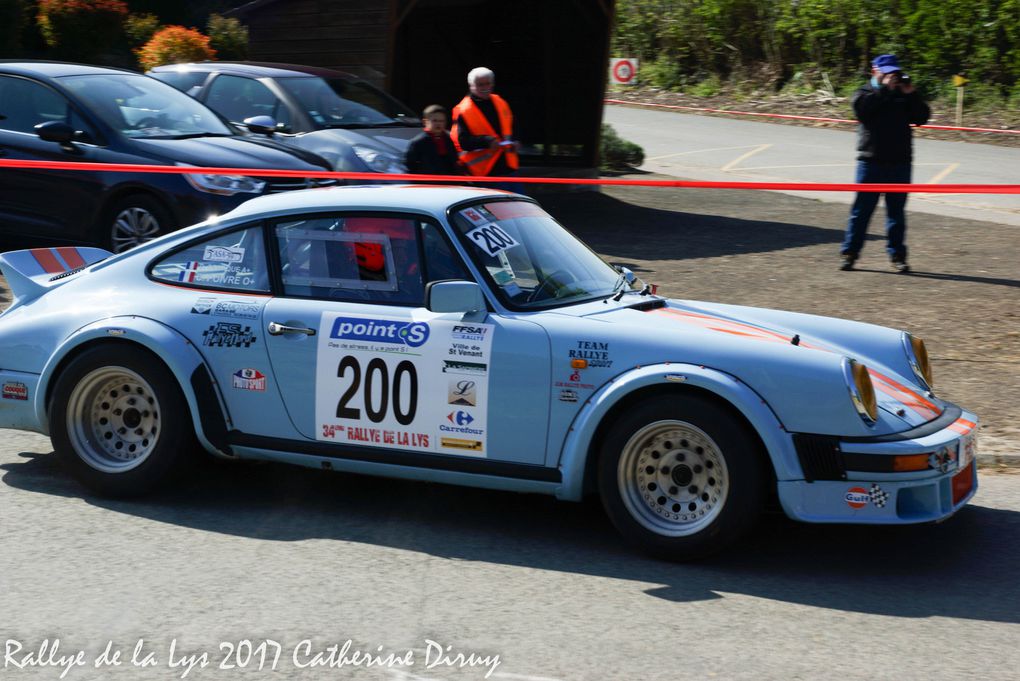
x=234 y=152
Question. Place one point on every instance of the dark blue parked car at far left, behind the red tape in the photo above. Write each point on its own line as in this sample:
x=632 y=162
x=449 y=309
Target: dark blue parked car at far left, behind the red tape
x=56 y=112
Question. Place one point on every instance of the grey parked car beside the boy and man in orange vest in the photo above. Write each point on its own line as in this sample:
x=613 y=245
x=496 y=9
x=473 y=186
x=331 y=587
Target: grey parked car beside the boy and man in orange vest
x=350 y=123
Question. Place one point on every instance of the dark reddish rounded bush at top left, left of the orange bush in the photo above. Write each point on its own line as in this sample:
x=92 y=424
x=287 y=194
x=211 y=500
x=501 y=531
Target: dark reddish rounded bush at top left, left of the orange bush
x=81 y=30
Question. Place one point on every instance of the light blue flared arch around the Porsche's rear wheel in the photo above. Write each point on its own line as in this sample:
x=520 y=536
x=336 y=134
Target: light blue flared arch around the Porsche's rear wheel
x=174 y=349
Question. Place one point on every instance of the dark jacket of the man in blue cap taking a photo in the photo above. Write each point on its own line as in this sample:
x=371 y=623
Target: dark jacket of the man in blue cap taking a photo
x=886 y=116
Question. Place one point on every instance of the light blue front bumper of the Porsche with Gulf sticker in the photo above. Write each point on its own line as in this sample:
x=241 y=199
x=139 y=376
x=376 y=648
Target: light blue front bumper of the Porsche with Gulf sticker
x=886 y=498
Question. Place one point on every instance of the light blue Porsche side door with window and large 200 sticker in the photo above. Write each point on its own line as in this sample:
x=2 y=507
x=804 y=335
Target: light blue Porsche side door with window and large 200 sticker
x=361 y=362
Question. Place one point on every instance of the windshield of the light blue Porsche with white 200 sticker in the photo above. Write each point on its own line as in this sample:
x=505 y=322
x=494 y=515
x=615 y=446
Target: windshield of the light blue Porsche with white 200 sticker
x=531 y=259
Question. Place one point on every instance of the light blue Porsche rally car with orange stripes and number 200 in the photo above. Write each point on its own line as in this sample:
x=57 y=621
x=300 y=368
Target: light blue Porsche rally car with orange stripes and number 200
x=463 y=336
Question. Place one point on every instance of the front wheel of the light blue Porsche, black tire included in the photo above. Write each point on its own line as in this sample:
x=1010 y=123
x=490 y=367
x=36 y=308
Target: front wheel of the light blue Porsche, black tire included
x=682 y=478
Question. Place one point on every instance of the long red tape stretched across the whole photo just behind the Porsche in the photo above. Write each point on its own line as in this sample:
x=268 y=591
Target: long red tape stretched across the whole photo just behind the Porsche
x=461 y=180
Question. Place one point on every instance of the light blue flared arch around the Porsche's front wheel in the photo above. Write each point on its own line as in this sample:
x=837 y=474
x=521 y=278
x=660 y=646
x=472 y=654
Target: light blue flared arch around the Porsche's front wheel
x=578 y=446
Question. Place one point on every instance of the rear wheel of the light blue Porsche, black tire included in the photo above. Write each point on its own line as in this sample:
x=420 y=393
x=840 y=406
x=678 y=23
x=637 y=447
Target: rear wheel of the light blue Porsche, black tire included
x=121 y=443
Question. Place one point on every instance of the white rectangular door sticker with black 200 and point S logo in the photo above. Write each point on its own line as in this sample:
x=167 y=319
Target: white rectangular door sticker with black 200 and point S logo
x=403 y=384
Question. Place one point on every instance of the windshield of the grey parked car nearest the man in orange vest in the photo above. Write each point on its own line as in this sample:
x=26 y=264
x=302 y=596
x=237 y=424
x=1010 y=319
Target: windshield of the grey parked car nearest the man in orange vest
x=337 y=103
